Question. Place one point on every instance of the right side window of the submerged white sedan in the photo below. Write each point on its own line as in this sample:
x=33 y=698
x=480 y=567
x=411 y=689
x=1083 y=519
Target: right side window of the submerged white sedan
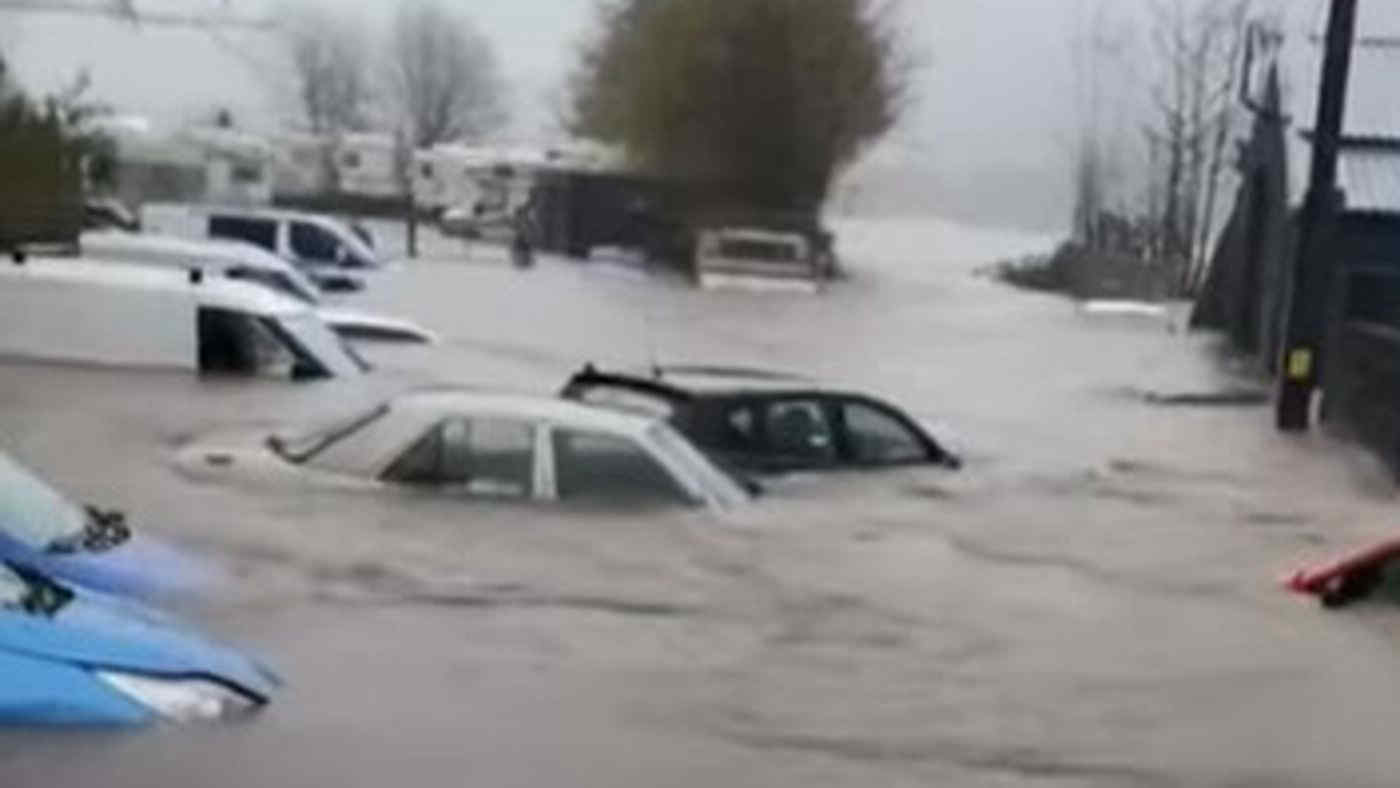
x=594 y=467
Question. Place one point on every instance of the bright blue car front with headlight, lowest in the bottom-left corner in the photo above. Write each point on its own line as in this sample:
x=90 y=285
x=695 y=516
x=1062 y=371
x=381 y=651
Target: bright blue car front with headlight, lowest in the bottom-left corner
x=75 y=657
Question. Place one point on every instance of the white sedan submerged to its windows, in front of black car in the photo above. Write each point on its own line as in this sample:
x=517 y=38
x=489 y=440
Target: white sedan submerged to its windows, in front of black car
x=481 y=446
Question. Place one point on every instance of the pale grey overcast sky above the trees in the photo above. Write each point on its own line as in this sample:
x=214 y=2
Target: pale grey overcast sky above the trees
x=995 y=94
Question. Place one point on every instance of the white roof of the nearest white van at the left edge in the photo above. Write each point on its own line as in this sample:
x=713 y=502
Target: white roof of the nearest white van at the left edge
x=212 y=292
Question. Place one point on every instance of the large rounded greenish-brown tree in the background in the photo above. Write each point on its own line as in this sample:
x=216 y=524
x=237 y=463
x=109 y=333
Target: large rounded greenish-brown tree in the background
x=768 y=97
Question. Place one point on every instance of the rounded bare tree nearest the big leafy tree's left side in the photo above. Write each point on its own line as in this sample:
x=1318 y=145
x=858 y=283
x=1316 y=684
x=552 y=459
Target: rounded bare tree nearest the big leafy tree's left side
x=444 y=75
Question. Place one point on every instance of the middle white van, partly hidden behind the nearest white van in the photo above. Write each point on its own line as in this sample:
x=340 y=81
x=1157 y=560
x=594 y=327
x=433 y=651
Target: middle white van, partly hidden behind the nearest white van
x=244 y=262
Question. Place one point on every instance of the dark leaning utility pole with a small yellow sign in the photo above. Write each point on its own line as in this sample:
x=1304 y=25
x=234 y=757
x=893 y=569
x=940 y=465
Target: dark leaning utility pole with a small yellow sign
x=1314 y=264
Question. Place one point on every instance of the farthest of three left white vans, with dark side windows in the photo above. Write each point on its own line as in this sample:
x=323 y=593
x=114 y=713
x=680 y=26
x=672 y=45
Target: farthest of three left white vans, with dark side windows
x=306 y=240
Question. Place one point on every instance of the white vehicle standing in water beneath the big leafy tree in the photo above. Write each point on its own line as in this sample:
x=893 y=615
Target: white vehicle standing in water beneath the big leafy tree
x=757 y=260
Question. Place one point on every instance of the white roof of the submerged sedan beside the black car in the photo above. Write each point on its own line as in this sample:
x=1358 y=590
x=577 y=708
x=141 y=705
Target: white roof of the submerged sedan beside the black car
x=558 y=412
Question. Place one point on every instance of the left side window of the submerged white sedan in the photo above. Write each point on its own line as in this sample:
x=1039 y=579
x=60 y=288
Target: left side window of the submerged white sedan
x=484 y=457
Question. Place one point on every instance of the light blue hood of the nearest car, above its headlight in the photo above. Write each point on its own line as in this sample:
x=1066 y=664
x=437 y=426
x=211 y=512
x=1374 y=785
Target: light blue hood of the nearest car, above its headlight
x=96 y=631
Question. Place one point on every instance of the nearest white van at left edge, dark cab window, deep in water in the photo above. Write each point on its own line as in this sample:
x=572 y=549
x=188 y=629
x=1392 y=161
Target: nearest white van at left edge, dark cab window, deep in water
x=113 y=314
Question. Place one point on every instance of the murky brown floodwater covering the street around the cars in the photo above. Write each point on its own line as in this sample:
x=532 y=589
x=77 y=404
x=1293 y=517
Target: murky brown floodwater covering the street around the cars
x=1093 y=601
